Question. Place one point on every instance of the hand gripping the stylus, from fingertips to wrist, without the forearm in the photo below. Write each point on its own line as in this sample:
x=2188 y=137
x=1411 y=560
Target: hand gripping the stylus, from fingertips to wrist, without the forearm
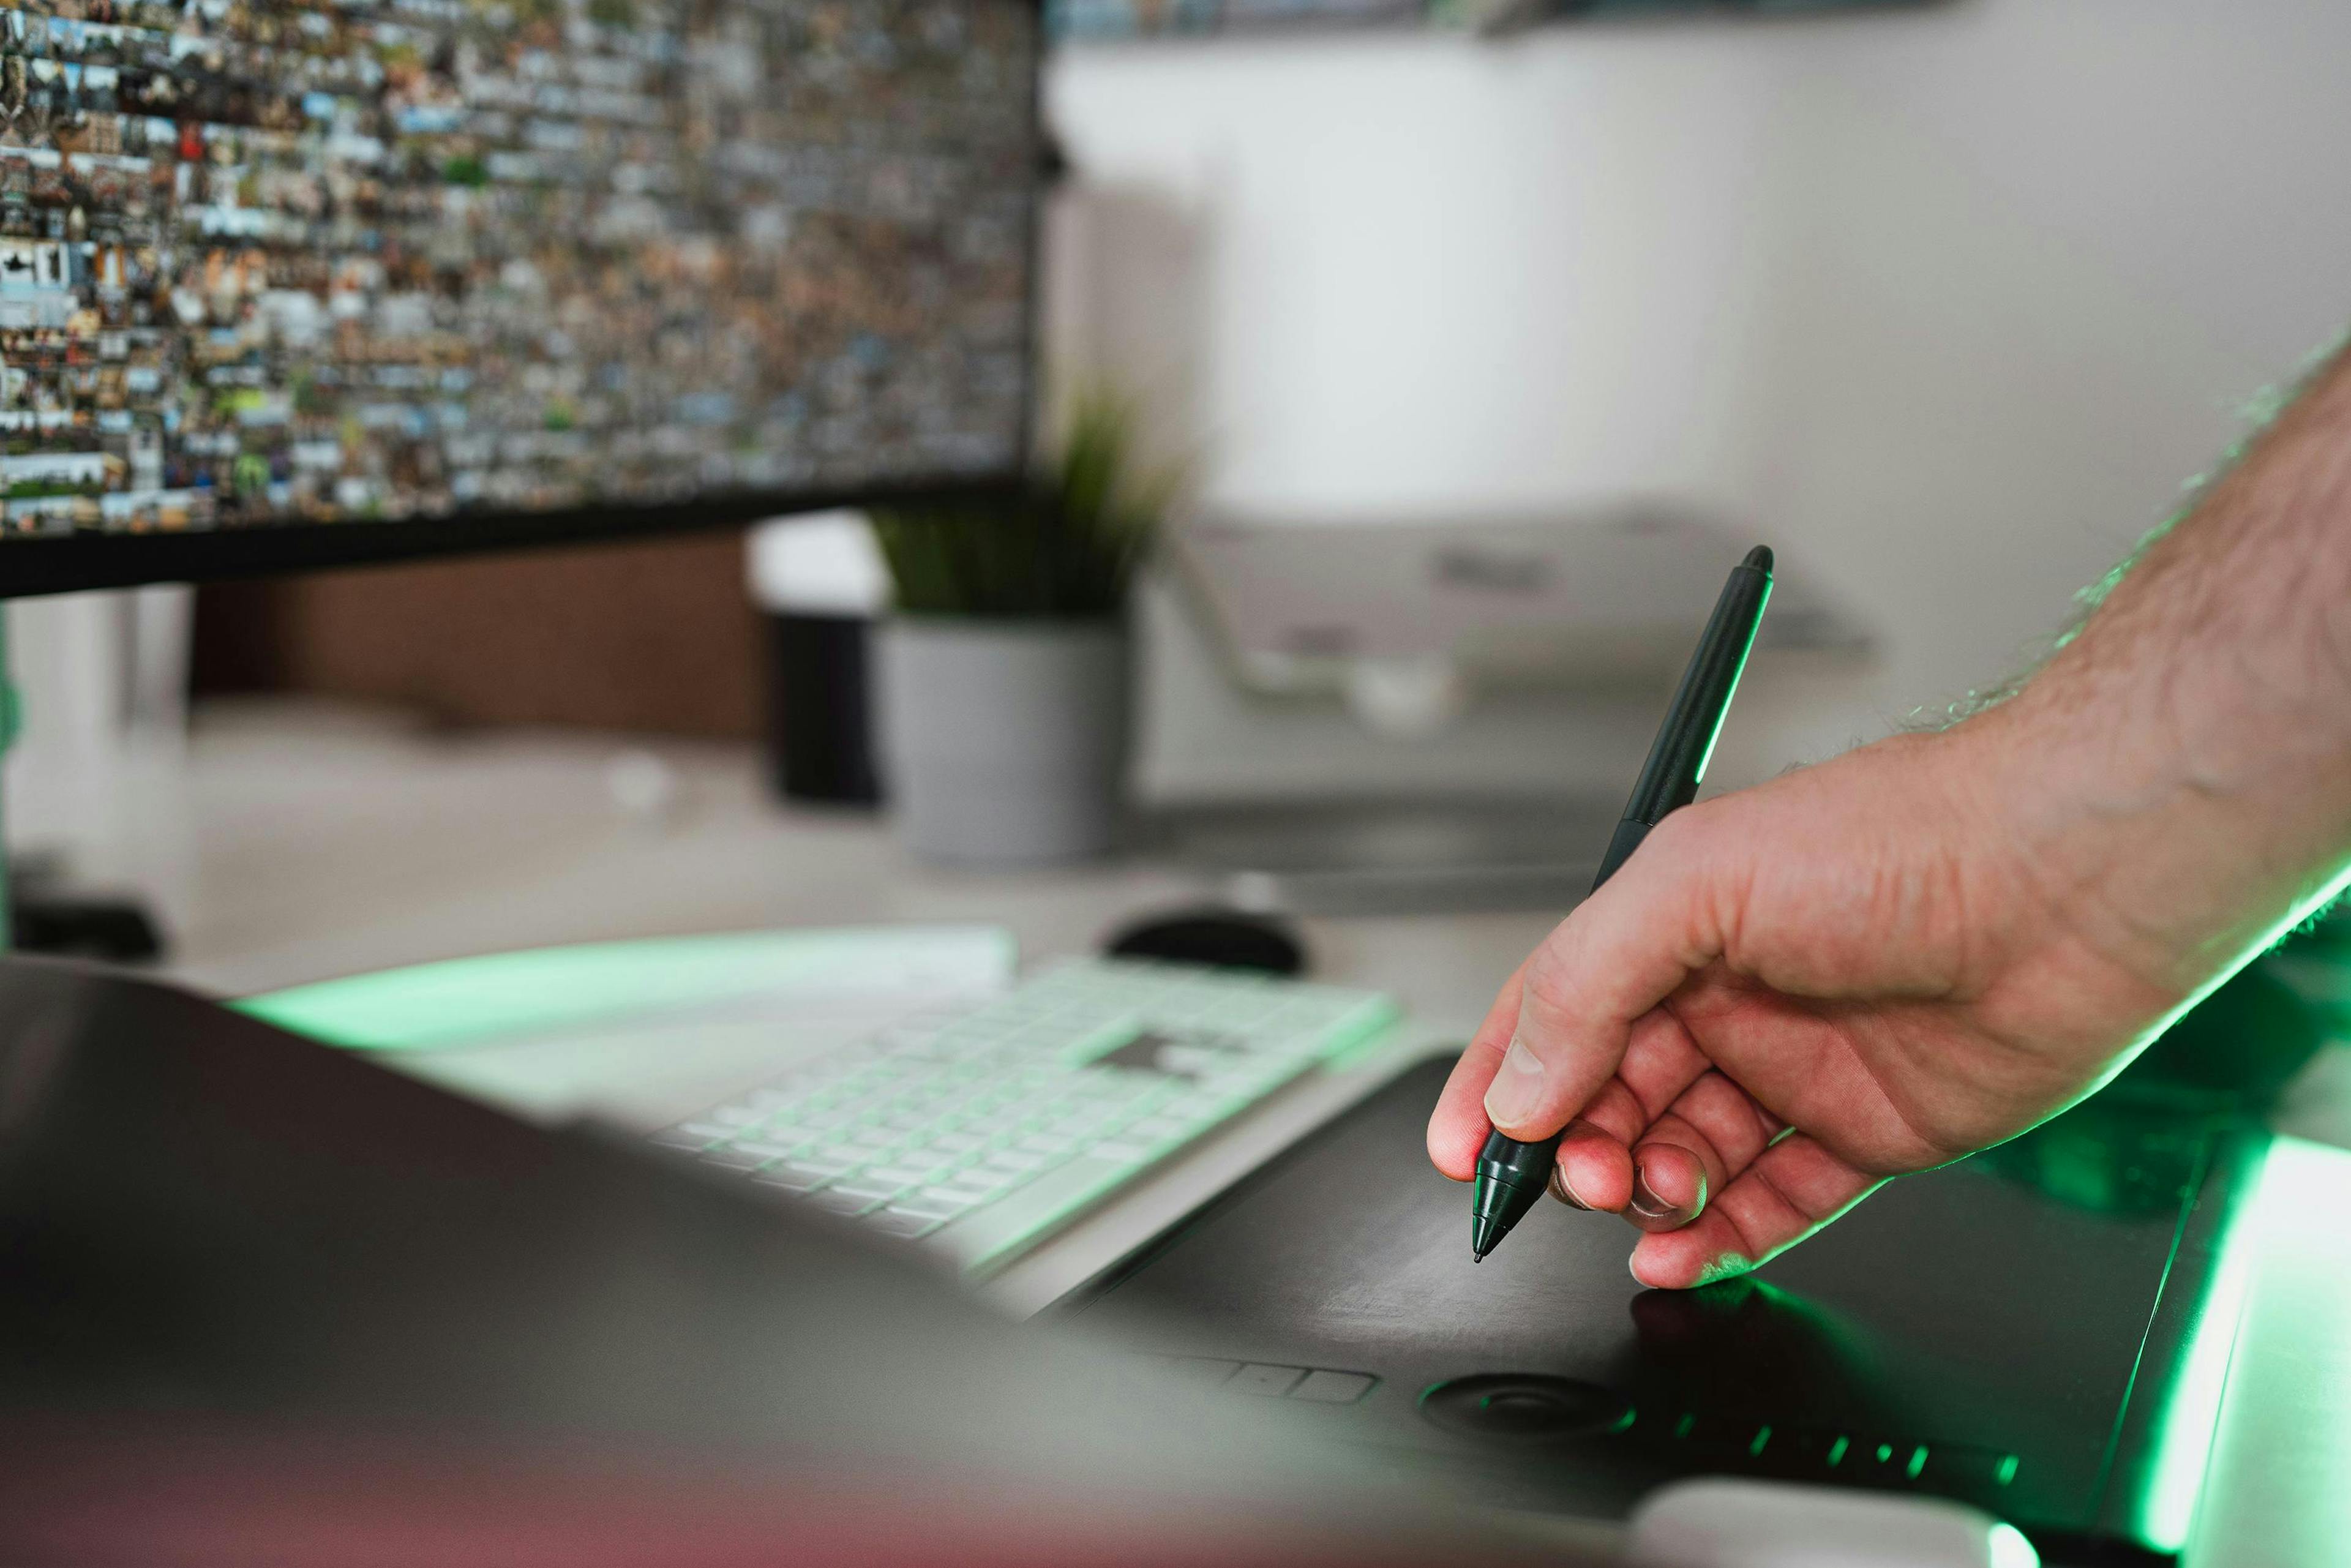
x=1797 y=991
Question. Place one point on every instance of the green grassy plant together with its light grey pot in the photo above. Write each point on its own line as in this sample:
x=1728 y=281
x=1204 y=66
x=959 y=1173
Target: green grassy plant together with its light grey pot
x=1003 y=674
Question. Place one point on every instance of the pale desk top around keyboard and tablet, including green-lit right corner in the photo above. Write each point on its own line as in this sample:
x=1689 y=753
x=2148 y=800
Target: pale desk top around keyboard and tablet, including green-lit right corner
x=297 y=845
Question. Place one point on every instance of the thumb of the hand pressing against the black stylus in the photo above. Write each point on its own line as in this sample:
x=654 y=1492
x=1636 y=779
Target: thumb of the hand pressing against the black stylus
x=1616 y=958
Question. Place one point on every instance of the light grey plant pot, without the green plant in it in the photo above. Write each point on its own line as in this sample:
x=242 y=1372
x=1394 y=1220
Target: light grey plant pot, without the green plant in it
x=1003 y=742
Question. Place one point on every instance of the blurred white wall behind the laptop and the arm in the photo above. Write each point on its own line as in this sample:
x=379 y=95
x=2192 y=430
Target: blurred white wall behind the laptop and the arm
x=1943 y=304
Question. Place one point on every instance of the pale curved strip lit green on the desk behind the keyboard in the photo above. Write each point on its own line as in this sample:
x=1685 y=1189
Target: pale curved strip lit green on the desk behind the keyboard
x=502 y=996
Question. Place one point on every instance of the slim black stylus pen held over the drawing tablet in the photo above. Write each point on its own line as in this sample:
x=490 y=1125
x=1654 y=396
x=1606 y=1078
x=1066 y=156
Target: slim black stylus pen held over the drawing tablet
x=1511 y=1174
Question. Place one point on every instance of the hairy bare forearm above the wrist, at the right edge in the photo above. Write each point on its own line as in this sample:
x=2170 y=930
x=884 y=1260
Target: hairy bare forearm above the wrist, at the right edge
x=2181 y=772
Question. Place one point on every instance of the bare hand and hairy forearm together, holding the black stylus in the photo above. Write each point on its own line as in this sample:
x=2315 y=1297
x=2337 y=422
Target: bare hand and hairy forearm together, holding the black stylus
x=1934 y=944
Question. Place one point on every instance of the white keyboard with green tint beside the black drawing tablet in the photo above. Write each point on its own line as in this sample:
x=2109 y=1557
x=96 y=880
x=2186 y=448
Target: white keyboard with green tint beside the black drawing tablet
x=982 y=1132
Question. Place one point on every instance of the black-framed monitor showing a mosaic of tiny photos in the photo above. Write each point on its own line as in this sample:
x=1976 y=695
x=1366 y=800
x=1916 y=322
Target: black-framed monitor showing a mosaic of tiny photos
x=319 y=281
